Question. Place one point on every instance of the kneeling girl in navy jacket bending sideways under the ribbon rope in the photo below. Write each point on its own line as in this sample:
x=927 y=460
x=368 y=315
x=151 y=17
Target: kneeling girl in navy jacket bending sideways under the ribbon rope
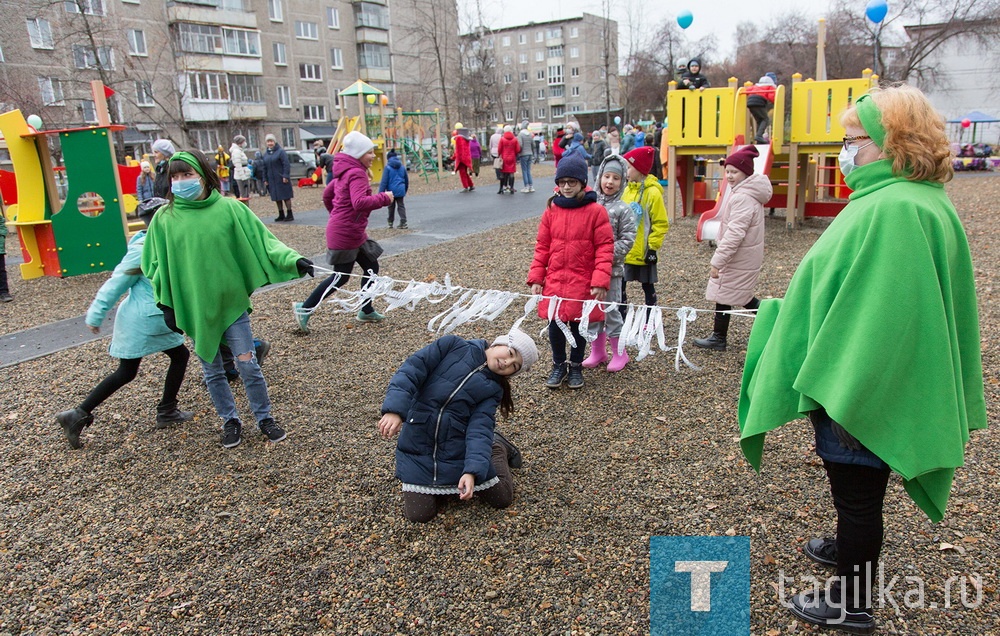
x=448 y=394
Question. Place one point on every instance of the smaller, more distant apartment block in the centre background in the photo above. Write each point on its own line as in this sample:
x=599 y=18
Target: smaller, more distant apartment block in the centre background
x=542 y=72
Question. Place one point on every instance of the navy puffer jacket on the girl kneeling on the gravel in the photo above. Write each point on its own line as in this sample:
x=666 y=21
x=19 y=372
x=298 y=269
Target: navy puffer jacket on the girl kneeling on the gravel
x=445 y=435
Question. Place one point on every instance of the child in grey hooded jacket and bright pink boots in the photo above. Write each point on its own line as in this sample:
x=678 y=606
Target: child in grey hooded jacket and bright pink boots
x=610 y=187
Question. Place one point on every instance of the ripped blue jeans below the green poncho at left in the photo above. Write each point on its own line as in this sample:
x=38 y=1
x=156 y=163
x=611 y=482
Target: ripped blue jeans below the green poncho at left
x=240 y=340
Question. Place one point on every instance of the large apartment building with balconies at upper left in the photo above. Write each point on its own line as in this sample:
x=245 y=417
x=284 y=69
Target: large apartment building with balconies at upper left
x=201 y=71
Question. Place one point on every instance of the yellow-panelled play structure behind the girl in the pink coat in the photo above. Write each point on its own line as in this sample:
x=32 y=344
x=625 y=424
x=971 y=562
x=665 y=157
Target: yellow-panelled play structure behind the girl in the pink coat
x=802 y=168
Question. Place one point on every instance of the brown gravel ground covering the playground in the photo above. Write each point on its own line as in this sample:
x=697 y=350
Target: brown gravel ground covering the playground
x=165 y=532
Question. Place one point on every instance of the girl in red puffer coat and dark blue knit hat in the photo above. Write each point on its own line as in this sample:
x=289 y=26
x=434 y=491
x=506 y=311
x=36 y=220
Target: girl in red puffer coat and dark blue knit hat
x=572 y=262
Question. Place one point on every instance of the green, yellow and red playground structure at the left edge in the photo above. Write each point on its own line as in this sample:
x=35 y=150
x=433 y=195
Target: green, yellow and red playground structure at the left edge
x=85 y=232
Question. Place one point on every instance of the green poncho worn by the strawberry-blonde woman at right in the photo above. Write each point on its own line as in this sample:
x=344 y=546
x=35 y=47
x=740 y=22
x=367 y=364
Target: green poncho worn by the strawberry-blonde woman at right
x=880 y=327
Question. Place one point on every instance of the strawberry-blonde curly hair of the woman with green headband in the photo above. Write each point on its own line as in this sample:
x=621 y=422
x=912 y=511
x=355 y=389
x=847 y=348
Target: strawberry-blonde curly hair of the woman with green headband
x=915 y=140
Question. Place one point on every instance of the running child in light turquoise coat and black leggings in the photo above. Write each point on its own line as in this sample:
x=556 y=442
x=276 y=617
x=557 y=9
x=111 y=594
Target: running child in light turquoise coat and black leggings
x=139 y=331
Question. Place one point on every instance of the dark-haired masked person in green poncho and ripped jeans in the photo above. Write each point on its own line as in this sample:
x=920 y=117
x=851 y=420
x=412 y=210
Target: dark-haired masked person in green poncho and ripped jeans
x=205 y=254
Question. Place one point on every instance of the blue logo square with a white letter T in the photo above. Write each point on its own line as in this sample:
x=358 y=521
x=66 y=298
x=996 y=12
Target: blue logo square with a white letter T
x=699 y=586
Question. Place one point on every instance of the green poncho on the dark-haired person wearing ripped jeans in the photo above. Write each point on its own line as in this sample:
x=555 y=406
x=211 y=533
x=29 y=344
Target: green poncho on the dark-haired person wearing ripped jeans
x=205 y=258
